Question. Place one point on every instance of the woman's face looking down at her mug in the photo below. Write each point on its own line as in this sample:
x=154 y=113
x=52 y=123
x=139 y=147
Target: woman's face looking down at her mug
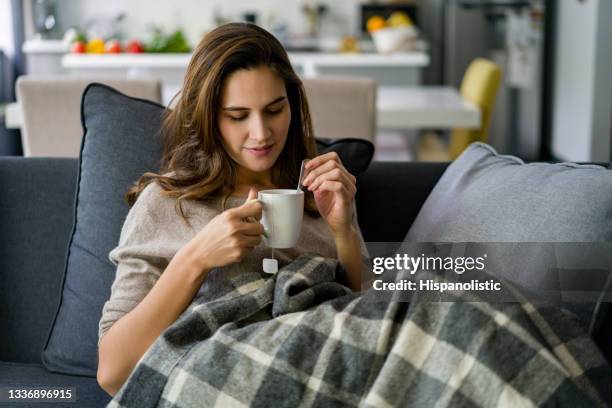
x=254 y=119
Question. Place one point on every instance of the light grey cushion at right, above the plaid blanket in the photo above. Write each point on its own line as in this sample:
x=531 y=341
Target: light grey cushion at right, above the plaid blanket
x=547 y=226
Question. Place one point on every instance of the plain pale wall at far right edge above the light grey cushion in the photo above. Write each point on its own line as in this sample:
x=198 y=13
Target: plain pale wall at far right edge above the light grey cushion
x=582 y=95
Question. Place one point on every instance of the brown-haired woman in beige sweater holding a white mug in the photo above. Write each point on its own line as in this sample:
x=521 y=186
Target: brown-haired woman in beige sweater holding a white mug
x=241 y=124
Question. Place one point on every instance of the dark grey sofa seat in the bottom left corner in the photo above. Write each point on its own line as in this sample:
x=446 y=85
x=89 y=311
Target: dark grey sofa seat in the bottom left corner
x=87 y=392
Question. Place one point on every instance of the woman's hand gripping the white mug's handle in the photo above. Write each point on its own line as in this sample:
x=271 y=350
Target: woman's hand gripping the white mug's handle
x=229 y=236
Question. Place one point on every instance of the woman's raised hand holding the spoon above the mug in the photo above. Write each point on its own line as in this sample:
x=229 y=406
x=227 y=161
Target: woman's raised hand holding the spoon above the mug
x=334 y=191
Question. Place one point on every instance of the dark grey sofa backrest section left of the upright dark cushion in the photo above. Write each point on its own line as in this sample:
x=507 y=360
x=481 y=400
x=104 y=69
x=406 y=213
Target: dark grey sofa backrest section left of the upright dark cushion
x=36 y=217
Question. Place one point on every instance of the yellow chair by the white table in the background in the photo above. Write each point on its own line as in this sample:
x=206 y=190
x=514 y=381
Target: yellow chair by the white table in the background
x=479 y=86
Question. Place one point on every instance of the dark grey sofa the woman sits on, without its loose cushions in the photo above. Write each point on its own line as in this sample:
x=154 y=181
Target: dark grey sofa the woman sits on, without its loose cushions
x=36 y=216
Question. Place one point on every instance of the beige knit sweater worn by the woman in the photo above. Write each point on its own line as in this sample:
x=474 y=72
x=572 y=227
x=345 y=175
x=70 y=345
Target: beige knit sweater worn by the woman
x=153 y=232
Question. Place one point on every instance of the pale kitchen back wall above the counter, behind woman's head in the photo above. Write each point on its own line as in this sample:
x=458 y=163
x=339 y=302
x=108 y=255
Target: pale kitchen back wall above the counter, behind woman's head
x=197 y=16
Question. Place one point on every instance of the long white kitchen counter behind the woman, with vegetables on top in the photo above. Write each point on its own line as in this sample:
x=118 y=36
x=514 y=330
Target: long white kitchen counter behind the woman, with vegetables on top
x=50 y=57
